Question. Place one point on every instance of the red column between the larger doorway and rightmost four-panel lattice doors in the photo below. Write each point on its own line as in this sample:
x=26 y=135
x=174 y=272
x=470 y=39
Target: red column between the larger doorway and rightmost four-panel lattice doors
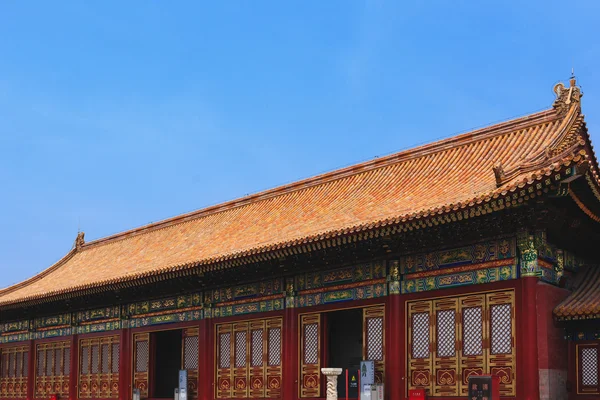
x=395 y=382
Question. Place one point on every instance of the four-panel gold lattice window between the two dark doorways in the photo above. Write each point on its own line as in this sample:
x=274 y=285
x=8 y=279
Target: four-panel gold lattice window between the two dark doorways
x=248 y=355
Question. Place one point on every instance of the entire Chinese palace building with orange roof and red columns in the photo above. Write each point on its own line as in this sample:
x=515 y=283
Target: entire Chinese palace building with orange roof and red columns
x=473 y=255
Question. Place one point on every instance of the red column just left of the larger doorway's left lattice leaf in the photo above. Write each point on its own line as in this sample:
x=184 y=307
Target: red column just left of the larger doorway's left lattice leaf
x=290 y=354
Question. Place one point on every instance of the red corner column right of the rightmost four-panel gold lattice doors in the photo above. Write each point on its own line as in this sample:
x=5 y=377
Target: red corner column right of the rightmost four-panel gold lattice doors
x=529 y=373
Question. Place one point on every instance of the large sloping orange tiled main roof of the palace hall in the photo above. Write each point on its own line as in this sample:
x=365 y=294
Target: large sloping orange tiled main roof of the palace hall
x=449 y=175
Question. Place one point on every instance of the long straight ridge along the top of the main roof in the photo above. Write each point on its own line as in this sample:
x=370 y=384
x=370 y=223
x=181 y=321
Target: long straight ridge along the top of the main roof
x=497 y=129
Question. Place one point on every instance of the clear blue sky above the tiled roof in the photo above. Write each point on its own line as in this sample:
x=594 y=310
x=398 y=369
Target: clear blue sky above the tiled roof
x=115 y=114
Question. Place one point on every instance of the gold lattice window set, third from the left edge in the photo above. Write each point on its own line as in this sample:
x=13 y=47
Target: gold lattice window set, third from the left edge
x=99 y=368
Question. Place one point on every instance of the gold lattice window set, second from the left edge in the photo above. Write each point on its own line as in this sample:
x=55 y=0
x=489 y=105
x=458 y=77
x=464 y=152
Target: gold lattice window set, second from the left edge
x=53 y=368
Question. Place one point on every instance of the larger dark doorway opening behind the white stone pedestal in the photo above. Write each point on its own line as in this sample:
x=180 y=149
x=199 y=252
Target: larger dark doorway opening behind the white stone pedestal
x=344 y=337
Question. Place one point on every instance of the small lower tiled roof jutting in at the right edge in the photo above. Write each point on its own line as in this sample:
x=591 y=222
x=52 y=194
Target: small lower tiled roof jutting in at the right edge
x=584 y=302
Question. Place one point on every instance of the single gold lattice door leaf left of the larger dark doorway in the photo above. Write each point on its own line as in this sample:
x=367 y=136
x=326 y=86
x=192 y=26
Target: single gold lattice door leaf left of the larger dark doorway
x=310 y=355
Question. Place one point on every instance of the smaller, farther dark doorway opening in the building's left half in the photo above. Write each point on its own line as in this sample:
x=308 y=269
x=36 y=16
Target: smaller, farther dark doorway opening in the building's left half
x=167 y=362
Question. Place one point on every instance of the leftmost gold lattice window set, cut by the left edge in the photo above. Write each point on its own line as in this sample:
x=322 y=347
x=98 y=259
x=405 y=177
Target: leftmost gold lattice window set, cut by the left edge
x=14 y=364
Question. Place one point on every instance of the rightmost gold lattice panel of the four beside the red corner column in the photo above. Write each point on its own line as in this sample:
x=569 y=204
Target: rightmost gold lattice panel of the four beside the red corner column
x=501 y=349
